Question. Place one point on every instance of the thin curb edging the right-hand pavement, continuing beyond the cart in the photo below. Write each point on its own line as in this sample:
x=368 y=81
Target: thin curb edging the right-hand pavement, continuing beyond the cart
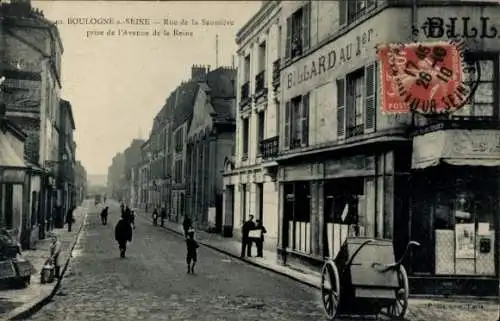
x=315 y=286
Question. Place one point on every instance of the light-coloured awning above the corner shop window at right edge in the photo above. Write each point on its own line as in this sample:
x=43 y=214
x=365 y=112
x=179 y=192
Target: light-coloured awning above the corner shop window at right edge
x=458 y=147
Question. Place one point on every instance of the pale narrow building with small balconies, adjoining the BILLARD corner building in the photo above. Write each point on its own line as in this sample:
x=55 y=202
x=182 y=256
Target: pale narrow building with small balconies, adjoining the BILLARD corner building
x=250 y=179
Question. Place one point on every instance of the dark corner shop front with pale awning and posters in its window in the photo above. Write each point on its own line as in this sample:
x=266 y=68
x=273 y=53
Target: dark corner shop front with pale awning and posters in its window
x=455 y=210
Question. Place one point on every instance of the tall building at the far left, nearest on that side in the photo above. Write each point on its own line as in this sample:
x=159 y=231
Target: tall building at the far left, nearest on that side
x=30 y=59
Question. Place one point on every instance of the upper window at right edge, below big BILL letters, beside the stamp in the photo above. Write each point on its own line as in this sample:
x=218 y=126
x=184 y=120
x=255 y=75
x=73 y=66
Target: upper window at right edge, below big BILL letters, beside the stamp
x=482 y=103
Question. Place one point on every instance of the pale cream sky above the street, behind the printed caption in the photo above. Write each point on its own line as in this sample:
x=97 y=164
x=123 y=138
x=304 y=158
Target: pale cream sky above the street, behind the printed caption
x=118 y=83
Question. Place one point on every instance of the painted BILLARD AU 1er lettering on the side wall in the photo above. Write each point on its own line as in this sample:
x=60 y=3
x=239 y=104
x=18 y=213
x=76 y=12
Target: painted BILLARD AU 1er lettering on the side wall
x=323 y=60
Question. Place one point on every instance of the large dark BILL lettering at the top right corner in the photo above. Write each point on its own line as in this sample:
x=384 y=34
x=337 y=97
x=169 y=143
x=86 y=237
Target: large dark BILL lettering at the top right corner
x=458 y=27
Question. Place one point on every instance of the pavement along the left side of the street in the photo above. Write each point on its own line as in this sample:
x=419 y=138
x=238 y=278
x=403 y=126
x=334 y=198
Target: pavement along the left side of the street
x=18 y=303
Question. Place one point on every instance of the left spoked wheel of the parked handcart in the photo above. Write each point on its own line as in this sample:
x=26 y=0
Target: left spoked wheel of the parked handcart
x=330 y=289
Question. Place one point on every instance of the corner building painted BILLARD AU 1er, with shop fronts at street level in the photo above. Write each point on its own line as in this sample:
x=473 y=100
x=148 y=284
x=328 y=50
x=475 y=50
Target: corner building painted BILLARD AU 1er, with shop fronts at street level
x=345 y=168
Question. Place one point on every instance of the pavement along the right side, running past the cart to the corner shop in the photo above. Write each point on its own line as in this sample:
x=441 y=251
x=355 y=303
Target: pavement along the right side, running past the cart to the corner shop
x=420 y=309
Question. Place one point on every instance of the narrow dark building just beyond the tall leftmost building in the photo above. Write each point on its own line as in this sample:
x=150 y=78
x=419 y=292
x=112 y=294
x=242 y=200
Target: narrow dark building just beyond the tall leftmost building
x=66 y=157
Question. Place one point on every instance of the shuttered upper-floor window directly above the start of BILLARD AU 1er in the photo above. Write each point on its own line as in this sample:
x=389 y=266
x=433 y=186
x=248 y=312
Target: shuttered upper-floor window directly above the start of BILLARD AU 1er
x=298 y=27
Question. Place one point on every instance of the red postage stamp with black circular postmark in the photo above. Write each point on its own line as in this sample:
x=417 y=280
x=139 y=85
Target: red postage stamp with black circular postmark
x=426 y=78
